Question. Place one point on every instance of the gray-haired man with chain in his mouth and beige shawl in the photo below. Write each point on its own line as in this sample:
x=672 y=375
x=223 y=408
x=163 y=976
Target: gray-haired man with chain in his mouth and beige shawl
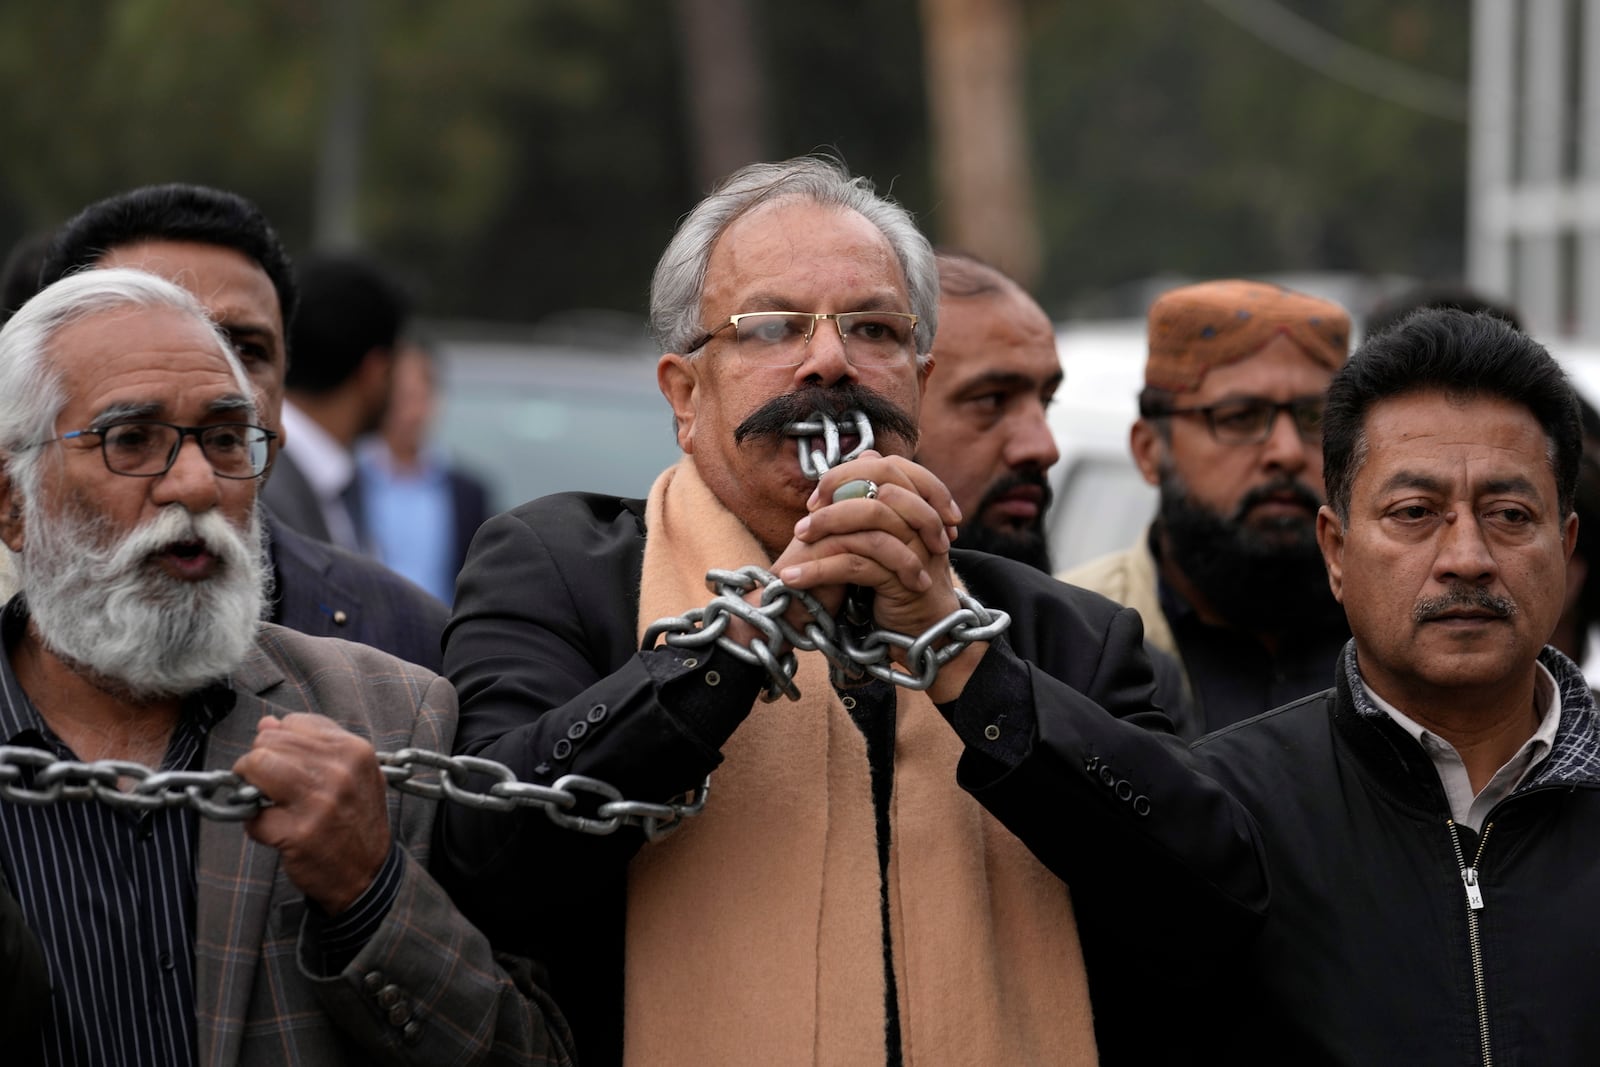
x=839 y=898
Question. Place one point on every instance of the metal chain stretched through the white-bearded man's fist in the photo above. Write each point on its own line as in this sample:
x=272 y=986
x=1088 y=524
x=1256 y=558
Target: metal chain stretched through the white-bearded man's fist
x=226 y=797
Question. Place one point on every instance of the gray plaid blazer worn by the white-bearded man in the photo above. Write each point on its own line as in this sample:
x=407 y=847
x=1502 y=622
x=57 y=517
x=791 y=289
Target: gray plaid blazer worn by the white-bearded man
x=426 y=989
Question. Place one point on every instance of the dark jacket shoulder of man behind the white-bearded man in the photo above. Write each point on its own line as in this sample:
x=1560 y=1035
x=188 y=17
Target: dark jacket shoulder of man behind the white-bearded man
x=326 y=591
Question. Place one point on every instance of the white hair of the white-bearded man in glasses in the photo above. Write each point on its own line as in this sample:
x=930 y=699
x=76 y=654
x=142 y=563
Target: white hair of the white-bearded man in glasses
x=31 y=391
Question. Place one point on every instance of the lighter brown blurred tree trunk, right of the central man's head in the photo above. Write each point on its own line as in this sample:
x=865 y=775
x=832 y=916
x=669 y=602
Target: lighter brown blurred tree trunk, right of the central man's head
x=980 y=143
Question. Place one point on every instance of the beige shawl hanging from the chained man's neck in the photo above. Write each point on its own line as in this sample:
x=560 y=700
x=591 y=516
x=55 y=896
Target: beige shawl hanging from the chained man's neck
x=754 y=933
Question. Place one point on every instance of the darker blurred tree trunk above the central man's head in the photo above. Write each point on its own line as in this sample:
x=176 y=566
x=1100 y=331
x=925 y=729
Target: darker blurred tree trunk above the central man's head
x=724 y=86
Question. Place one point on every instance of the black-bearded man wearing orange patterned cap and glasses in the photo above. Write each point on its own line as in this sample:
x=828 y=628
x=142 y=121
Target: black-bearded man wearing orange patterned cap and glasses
x=1230 y=578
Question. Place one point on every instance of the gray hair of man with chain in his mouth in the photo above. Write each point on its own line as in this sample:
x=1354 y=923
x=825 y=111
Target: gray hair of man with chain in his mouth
x=681 y=274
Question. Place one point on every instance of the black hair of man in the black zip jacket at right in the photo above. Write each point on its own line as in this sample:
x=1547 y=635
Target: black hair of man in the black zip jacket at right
x=1462 y=354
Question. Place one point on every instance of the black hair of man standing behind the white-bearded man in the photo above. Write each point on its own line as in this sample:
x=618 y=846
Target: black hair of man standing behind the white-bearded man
x=174 y=214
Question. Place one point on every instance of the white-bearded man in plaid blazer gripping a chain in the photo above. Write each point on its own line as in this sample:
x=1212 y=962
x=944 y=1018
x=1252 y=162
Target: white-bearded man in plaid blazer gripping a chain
x=311 y=930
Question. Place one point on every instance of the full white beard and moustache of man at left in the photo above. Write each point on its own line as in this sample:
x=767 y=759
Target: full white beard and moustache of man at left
x=105 y=605
